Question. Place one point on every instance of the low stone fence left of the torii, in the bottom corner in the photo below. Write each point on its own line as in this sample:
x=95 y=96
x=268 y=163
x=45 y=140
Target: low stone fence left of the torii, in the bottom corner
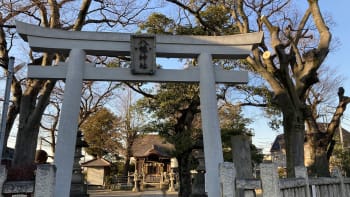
x=42 y=186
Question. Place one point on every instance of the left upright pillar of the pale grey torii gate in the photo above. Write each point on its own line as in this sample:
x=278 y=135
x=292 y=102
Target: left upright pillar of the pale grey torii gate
x=66 y=140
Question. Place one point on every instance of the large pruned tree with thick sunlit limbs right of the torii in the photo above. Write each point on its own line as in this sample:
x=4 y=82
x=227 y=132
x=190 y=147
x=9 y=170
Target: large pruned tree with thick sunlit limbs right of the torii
x=291 y=89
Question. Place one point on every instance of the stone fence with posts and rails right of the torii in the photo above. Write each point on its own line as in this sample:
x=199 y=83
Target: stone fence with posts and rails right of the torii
x=272 y=186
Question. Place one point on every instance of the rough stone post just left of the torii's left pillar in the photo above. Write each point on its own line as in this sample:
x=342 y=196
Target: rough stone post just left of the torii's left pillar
x=45 y=180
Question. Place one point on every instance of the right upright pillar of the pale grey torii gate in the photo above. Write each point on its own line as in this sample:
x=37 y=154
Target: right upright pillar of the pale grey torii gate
x=210 y=124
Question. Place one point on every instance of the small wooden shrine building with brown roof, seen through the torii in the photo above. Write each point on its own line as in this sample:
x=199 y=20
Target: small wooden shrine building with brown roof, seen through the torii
x=152 y=155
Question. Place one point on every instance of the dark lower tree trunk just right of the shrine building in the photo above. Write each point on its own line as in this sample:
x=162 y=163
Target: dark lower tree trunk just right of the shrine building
x=185 y=175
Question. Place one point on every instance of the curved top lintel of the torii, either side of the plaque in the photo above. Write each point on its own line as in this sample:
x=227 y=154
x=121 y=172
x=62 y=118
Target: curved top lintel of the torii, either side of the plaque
x=115 y=44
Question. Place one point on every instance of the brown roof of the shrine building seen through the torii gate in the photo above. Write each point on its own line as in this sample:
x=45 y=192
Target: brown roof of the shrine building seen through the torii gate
x=146 y=145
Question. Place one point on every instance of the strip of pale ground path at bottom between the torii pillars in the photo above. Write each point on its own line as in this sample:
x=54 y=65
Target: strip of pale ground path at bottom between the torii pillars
x=108 y=193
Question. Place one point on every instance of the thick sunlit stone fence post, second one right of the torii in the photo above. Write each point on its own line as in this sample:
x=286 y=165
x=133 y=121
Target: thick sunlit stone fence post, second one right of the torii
x=269 y=180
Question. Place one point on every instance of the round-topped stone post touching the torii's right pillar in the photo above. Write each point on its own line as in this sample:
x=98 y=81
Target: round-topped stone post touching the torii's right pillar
x=227 y=179
